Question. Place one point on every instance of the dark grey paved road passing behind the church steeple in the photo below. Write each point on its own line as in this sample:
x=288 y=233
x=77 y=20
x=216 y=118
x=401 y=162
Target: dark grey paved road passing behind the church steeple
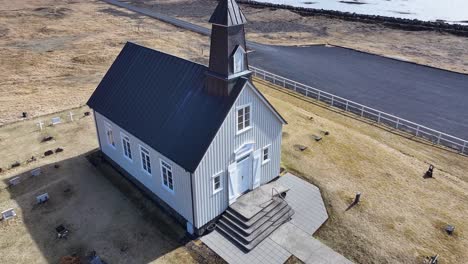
x=431 y=97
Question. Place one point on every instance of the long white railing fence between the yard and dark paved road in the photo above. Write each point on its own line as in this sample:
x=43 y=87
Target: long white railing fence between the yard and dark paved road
x=380 y=117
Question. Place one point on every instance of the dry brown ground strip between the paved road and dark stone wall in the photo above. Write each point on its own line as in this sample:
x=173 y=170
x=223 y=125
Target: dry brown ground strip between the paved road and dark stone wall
x=283 y=27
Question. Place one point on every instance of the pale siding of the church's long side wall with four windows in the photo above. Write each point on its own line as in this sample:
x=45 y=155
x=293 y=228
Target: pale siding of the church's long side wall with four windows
x=180 y=200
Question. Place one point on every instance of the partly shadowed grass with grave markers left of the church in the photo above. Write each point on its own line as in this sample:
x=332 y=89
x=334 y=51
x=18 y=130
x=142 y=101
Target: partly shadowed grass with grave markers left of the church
x=119 y=225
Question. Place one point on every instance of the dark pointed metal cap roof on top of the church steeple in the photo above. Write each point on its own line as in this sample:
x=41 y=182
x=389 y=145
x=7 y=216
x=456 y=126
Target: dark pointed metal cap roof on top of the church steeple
x=228 y=13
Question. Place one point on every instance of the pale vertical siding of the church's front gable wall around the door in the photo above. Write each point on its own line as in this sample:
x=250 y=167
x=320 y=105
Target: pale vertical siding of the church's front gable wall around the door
x=266 y=130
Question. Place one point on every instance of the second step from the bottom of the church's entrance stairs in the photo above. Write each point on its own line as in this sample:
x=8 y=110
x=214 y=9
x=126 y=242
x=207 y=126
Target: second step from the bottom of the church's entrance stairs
x=250 y=235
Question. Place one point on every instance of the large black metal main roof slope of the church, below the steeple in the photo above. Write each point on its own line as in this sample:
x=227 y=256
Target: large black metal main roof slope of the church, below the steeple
x=160 y=99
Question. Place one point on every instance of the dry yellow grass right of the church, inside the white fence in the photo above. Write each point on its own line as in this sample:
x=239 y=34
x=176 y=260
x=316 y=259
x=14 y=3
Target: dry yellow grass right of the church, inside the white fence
x=402 y=216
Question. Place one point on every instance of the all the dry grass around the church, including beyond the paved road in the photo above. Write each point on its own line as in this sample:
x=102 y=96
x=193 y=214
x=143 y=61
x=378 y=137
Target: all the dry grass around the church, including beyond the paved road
x=54 y=53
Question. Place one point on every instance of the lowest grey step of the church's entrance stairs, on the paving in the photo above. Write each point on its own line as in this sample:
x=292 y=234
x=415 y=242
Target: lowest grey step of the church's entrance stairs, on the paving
x=260 y=237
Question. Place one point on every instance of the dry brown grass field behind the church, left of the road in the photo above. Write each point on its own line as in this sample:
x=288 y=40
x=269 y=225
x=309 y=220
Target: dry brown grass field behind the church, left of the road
x=54 y=53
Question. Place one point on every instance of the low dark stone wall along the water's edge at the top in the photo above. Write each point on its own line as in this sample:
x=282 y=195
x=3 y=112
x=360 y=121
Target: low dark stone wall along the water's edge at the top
x=392 y=22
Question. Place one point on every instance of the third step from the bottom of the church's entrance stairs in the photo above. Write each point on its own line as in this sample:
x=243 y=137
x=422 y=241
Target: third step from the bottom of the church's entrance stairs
x=247 y=229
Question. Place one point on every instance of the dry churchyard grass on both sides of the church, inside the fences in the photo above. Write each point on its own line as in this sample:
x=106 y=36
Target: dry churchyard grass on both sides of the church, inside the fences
x=401 y=217
